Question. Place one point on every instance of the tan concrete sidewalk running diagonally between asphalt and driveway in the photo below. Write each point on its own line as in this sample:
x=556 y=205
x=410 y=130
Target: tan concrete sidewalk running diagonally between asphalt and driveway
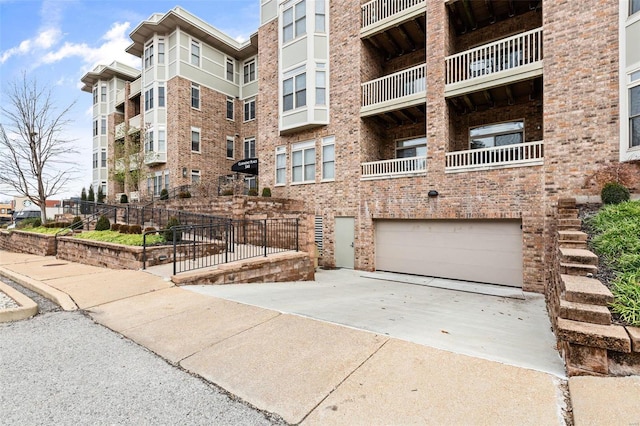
x=313 y=372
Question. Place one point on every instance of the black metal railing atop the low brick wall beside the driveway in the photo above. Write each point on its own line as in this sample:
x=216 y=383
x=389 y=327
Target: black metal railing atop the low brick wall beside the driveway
x=202 y=246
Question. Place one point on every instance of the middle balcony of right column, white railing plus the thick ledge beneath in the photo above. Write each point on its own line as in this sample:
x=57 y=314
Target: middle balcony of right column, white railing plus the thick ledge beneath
x=505 y=61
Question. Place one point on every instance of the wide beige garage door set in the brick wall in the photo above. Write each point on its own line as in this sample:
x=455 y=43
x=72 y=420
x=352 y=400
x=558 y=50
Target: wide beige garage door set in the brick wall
x=486 y=251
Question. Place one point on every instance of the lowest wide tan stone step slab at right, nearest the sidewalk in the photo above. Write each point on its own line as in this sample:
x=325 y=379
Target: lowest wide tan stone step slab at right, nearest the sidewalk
x=612 y=337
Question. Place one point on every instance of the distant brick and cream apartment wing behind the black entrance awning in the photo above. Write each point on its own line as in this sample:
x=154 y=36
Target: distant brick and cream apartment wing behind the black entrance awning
x=185 y=118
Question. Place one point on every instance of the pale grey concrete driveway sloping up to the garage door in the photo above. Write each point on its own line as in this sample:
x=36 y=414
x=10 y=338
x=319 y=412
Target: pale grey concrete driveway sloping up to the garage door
x=513 y=330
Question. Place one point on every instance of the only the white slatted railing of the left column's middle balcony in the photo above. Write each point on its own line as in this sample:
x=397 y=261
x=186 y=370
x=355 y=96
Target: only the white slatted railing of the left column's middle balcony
x=398 y=85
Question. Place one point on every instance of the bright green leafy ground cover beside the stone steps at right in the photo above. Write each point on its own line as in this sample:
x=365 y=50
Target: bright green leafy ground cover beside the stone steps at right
x=615 y=238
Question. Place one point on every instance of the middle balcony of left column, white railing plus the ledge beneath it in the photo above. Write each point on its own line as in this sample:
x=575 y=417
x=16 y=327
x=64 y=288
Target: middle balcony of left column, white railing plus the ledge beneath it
x=402 y=89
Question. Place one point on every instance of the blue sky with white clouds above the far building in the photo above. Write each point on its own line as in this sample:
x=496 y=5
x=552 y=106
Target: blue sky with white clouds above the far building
x=57 y=41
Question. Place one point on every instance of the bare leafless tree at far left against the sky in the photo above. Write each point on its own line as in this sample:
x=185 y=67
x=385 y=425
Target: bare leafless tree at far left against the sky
x=35 y=158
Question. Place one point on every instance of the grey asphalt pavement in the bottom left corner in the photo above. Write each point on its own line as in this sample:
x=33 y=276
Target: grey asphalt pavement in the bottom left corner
x=62 y=368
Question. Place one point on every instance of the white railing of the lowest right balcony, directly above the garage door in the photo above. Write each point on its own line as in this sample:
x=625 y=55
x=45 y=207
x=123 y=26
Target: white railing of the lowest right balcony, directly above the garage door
x=523 y=154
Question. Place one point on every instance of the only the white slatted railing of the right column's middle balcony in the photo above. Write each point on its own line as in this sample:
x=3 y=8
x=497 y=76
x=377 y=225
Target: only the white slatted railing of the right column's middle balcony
x=509 y=53
